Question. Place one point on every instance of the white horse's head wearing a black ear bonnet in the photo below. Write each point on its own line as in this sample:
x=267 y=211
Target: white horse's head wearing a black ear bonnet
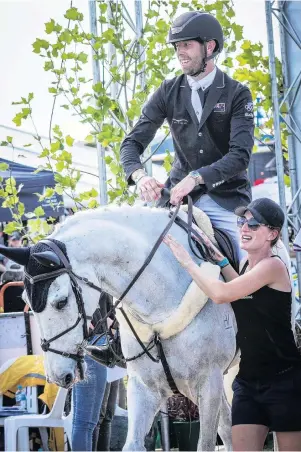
x=55 y=296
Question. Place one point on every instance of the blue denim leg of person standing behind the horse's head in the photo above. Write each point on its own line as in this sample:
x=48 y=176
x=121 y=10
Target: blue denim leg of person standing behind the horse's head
x=87 y=400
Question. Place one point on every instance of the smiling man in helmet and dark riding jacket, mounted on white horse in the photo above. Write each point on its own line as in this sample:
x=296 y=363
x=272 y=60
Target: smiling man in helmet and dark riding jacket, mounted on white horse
x=211 y=120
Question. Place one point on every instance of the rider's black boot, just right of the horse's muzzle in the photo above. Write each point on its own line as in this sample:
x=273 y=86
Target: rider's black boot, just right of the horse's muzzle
x=109 y=354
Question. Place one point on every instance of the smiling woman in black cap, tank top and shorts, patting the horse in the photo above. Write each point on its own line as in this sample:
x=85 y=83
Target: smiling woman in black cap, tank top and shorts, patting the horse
x=267 y=389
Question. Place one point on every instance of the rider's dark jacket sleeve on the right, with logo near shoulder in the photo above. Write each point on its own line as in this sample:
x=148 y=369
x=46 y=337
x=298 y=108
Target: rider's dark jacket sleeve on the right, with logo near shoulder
x=240 y=144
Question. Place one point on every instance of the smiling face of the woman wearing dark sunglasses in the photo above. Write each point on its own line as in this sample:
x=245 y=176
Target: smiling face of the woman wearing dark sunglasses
x=256 y=240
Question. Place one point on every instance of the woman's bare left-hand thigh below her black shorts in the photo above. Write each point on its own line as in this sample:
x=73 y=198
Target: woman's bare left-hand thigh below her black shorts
x=249 y=437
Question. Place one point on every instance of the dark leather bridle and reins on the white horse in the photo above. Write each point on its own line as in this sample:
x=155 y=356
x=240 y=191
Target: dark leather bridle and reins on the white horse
x=67 y=269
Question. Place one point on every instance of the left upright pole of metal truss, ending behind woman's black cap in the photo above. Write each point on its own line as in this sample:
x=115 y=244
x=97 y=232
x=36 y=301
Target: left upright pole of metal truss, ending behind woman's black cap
x=277 y=130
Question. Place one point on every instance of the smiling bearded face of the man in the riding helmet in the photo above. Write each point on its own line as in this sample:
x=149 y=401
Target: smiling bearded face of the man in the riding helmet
x=190 y=55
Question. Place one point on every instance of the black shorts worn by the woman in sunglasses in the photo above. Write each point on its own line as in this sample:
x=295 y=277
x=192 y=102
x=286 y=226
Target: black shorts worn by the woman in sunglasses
x=275 y=403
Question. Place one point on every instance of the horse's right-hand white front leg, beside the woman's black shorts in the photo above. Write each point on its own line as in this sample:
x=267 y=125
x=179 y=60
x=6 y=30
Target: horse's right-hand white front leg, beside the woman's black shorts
x=209 y=402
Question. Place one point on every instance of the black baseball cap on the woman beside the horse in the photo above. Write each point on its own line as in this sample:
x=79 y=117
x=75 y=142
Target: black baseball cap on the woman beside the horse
x=265 y=211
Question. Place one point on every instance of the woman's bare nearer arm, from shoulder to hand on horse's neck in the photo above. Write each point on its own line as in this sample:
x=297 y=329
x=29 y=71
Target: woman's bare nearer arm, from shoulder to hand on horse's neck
x=266 y=272
